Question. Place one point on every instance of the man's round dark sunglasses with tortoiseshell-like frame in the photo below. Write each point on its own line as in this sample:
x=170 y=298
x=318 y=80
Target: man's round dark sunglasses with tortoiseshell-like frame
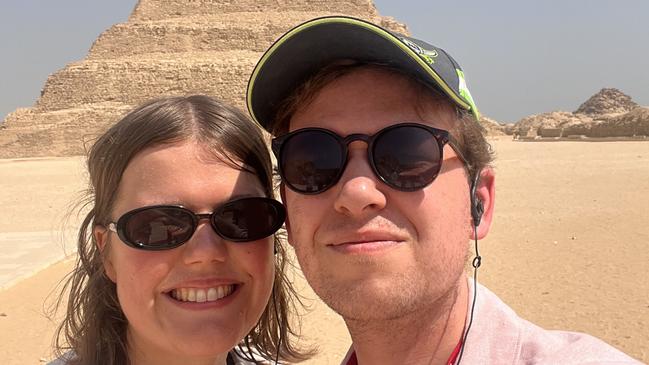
x=405 y=156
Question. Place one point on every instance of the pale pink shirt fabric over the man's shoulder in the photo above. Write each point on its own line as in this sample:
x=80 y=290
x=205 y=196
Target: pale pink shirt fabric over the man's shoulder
x=499 y=335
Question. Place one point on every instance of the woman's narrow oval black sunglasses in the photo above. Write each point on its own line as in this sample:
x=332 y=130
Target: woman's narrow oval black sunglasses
x=163 y=227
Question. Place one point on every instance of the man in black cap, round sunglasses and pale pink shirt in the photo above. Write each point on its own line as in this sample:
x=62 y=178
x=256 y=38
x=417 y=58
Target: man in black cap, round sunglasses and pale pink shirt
x=386 y=177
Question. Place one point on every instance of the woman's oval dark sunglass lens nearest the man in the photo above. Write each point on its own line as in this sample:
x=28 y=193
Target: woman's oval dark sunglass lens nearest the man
x=249 y=219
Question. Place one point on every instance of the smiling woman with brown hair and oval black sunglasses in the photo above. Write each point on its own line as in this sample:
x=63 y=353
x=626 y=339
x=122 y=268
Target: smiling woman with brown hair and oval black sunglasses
x=178 y=262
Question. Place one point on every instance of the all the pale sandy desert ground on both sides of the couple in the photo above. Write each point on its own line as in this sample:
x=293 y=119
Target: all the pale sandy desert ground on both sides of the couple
x=567 y=250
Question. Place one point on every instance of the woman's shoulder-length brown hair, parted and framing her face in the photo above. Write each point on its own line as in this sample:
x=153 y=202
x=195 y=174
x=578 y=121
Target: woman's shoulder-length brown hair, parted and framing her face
x=94 y=327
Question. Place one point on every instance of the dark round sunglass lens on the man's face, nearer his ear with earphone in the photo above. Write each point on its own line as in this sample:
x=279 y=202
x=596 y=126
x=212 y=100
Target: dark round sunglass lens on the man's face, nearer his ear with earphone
x=408 y=158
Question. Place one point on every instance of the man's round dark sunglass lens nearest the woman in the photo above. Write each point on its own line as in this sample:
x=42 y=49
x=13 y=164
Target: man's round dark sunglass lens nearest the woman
x=311 y=161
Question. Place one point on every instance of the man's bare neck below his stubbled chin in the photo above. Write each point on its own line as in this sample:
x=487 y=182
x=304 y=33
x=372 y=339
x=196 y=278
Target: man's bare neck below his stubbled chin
x=427 y=336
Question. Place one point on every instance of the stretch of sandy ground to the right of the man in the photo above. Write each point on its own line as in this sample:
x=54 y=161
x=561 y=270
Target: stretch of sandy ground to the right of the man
x=568 y=248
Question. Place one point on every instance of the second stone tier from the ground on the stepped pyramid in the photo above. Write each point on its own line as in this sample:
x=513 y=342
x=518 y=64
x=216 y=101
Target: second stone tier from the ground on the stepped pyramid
x=134 y=80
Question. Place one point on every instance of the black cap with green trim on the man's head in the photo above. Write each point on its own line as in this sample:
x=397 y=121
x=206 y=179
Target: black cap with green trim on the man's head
x=307 y=48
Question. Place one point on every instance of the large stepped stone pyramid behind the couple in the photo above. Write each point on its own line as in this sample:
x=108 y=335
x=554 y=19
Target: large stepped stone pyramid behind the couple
x=167 y=47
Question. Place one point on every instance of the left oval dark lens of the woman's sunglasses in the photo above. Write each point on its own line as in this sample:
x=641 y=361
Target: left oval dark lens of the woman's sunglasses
x=159 y=227
